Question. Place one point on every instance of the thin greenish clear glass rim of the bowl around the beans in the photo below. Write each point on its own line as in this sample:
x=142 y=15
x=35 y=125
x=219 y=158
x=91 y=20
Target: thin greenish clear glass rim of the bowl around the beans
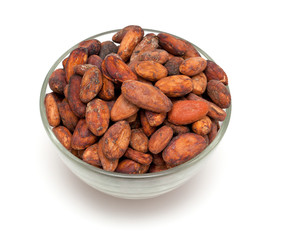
x=69 y=155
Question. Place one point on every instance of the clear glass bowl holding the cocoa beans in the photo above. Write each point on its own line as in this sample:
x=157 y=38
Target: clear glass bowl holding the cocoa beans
x=128 y=186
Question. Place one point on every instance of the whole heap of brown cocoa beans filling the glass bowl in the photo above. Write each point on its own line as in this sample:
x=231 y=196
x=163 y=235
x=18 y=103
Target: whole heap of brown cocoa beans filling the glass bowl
x=138 y=103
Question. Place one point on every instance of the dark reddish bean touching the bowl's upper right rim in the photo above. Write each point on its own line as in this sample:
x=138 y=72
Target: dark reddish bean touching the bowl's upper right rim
x=215 y=72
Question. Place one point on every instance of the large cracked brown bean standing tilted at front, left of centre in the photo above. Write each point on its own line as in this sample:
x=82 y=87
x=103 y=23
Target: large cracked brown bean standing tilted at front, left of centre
x=116 y=140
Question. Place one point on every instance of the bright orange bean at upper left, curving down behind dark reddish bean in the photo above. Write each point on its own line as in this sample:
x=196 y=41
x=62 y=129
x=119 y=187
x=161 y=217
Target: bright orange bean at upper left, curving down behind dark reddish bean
x=77 y=56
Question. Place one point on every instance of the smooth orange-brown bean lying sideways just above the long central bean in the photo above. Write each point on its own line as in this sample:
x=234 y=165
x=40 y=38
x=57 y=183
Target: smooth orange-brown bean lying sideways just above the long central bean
x=150 y=70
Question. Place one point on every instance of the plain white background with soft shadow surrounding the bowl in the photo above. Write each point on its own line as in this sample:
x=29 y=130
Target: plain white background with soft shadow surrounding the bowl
x=238 y=193
